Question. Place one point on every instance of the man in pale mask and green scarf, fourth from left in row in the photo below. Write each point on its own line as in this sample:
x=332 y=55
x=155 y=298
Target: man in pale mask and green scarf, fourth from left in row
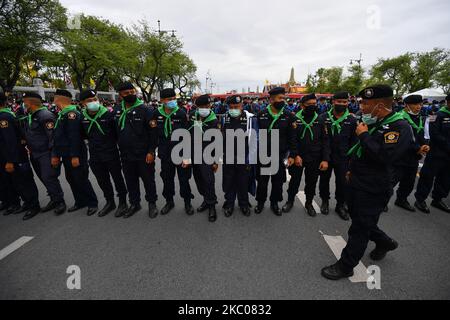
x=98 y=127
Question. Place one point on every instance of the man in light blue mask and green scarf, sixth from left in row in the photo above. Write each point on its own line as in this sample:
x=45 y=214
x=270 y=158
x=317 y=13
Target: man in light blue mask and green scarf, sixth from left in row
x=165 y=120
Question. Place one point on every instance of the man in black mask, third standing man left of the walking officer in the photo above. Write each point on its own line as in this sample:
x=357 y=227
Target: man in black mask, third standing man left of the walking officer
x=275 y=117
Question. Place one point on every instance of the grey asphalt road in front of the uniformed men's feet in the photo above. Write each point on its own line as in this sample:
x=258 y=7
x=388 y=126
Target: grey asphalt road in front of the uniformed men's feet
x=181 y=257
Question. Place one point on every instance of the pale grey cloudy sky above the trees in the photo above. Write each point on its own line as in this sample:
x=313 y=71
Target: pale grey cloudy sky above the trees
x=245 y=42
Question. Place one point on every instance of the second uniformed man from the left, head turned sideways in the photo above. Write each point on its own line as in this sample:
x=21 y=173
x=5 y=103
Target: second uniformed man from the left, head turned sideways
x=38 y=129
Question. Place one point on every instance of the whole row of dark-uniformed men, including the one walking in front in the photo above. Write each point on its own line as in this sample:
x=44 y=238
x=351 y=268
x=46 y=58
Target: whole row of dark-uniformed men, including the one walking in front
x=370 y=151
